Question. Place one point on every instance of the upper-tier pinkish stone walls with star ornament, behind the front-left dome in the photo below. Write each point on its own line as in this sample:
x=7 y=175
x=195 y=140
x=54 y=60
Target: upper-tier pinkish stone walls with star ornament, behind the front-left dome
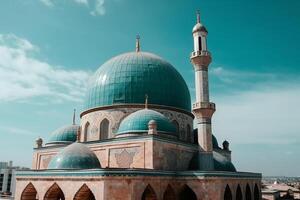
x=147 y=152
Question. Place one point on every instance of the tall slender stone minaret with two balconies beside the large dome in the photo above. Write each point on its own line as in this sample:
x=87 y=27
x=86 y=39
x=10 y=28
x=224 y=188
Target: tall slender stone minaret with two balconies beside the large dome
x=203 y=109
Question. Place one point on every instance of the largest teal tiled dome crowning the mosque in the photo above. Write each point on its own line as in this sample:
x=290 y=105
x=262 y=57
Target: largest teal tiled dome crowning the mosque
x=125 y=79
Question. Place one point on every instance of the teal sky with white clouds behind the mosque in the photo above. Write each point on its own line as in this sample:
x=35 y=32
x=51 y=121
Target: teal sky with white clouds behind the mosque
x=49 y=48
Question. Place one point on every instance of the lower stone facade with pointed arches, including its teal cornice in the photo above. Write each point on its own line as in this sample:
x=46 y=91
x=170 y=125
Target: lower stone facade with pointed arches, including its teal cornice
x=132 y=185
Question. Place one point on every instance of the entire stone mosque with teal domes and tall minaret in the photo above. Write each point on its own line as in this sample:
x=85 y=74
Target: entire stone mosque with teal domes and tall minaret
x=136 y=139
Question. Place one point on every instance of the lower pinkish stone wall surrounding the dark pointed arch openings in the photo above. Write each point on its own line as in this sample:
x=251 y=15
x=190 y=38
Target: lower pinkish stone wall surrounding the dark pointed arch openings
x=133 y=187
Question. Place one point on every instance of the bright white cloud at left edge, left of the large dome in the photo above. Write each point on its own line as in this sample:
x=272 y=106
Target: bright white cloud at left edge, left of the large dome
x=23 y=76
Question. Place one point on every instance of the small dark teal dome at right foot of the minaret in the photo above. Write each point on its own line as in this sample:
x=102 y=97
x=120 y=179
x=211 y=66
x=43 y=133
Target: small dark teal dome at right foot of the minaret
x=221 y=163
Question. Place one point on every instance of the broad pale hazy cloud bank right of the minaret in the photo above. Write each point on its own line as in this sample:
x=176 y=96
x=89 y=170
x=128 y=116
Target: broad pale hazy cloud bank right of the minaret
x=269 y=116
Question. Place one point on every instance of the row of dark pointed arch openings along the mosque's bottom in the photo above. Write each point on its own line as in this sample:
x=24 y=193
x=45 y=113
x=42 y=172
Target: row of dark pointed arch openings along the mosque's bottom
x=84 y=193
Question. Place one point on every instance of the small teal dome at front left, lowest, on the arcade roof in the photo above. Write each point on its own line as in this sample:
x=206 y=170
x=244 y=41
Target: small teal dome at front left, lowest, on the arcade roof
x=75 y=156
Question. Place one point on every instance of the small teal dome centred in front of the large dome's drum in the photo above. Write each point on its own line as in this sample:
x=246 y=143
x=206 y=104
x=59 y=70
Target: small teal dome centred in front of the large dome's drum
x=137 y=122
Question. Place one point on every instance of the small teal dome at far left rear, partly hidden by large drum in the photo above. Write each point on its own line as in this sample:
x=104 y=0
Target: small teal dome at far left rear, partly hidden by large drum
x=64 y=135
